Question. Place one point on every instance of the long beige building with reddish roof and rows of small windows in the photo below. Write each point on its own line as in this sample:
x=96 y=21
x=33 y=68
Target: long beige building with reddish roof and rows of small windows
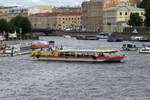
x=61 y=21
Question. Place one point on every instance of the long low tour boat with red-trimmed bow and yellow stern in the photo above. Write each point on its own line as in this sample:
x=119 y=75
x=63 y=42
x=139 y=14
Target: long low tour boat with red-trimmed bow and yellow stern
x=77 y=55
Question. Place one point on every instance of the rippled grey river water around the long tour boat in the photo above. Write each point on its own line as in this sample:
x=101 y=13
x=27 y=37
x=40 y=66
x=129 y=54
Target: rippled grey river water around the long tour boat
x=24 y=79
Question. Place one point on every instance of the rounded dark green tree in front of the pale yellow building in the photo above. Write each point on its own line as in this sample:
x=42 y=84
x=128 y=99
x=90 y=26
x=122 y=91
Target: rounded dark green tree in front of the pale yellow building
x=135 y=20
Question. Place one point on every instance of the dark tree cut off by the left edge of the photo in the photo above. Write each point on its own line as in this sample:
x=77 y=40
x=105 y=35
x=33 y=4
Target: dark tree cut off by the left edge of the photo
x=4 y=27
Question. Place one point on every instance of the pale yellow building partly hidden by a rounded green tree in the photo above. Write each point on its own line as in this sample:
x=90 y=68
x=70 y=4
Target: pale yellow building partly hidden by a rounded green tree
x=115 y=19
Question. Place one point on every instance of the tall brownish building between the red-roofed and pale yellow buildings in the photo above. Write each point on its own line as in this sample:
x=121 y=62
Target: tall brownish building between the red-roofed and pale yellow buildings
x=92 y=15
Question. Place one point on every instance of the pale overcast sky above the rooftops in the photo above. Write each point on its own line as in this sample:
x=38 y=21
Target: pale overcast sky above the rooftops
x=42 y=2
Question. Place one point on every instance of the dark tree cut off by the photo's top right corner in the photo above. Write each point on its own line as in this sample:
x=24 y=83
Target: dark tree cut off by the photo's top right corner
x=145 y=4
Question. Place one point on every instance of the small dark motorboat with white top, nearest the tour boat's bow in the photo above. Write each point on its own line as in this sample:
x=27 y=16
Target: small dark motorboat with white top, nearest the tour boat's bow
x=129 y=47
